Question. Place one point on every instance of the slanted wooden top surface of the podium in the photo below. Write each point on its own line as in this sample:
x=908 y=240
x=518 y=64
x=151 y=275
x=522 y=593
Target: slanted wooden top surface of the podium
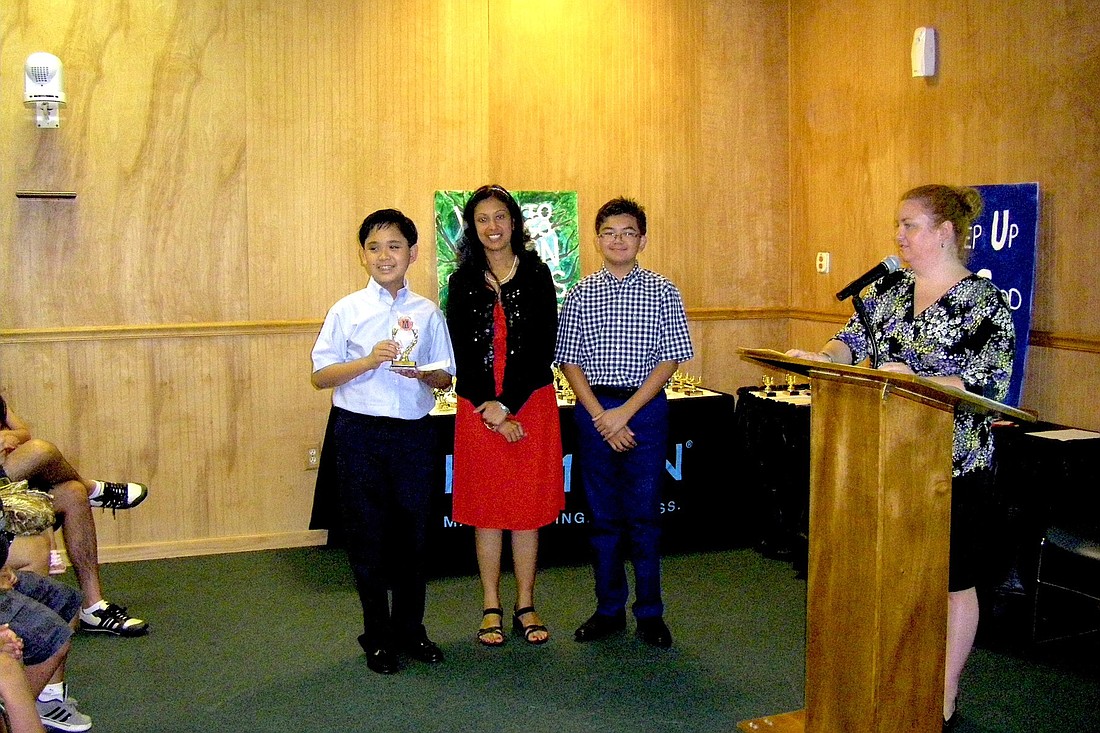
x=911 y=384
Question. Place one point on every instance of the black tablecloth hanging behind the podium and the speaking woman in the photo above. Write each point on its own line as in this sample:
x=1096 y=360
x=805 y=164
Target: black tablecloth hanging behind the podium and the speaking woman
x=1039 y=484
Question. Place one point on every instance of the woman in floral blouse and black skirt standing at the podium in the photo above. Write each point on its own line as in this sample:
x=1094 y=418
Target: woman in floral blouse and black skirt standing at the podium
x=937 y=320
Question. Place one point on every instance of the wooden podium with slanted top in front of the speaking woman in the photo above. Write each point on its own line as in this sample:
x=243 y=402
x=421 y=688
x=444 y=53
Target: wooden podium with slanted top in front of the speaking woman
x=881 y=484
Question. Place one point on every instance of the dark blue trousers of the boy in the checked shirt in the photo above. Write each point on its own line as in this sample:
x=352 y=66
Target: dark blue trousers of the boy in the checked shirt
x=624 y=494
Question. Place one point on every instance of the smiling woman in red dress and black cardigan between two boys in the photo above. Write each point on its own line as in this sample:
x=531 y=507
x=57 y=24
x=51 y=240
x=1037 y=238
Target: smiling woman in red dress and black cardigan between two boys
x=502 y=312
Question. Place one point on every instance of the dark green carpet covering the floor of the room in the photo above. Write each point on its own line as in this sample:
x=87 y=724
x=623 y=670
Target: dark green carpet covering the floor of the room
x=266 y=642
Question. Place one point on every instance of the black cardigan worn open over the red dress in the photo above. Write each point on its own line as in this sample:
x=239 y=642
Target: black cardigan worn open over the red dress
x=531 y=310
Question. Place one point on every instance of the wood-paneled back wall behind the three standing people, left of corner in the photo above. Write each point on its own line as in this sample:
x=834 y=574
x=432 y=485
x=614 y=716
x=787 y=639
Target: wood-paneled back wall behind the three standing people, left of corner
x=224 y=152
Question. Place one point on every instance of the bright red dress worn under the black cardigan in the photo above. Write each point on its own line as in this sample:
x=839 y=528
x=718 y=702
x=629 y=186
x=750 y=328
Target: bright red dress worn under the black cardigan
x=509 y=486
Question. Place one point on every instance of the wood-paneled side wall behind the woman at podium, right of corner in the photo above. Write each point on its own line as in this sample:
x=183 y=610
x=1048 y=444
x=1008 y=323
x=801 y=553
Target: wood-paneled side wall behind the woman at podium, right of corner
x=1014 y=101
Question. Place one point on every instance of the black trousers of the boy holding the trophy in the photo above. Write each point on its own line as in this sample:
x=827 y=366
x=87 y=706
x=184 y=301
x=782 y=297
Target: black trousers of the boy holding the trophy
x=384 y=475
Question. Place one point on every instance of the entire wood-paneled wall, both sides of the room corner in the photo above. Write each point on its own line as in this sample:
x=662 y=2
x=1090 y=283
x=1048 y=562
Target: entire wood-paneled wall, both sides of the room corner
x=224 y=152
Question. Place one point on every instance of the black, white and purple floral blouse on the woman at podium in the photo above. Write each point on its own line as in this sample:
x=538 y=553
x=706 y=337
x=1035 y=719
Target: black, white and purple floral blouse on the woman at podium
x=967 y=333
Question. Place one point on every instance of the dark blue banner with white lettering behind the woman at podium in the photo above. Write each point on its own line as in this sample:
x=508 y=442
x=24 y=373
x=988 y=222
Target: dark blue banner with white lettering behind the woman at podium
x=1004 y=243
